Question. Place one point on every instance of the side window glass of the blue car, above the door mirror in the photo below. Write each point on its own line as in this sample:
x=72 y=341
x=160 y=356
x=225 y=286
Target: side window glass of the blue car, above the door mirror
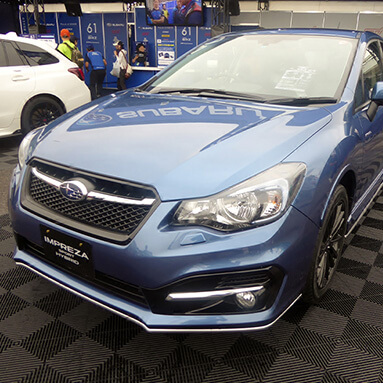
x=371 y=69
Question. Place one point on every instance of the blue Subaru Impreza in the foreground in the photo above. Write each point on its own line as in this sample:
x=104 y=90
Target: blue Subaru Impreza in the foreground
x=218 y=193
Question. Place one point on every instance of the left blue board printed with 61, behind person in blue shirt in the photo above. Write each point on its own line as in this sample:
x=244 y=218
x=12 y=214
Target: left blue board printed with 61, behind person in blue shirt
x=92 y=33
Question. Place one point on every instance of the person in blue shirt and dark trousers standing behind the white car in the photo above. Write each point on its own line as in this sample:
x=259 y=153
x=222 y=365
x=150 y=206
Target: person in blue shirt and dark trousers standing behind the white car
x=96 y=64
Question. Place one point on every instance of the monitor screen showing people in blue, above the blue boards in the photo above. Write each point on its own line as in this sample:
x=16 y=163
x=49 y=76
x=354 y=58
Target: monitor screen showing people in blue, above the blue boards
x=175 y=12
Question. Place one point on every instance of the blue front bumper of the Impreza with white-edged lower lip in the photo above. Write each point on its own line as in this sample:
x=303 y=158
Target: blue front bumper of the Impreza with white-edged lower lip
x=162 y=261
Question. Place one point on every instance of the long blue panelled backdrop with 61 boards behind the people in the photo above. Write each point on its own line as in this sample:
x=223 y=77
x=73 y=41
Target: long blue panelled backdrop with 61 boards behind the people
x=163 y=43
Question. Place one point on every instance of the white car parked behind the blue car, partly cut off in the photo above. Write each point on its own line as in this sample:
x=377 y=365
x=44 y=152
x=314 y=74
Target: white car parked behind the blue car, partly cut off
x=38 y=84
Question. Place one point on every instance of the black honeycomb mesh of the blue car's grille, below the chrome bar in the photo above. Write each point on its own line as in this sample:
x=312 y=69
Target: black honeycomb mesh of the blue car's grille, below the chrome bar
x=105 y=215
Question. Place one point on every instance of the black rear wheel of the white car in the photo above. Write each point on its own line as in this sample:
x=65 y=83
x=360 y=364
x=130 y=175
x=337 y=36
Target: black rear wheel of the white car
x=38 y=112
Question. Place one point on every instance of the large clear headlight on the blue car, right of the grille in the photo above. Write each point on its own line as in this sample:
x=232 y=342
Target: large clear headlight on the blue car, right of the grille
x=256 y=201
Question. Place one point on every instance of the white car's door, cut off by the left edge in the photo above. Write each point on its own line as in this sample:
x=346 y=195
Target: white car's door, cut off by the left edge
x=17 y=81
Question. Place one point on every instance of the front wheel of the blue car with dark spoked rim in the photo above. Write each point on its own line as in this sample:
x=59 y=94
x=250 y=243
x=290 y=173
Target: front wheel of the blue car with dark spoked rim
x=329 y=247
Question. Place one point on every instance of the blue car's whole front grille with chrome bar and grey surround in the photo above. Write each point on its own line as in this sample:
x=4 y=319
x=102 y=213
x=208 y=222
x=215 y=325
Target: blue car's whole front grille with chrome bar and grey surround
x=102 y=218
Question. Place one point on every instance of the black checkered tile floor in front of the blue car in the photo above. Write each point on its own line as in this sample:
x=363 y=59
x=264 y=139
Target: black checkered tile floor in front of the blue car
x=50 y=335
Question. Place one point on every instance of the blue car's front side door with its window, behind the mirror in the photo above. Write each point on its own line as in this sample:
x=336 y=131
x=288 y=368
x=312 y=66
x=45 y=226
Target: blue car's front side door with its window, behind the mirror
x=371 y=131
